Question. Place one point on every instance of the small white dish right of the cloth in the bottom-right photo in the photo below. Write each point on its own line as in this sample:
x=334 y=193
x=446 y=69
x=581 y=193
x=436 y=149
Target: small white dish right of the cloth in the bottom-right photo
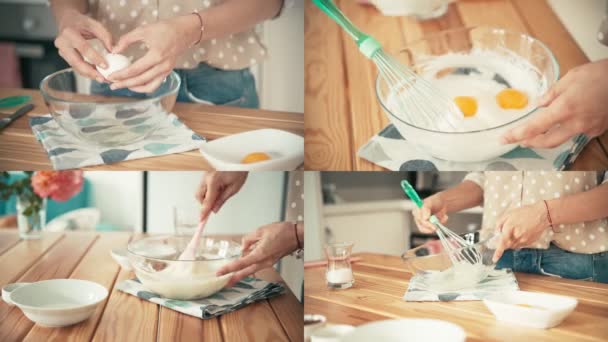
x=539 y=310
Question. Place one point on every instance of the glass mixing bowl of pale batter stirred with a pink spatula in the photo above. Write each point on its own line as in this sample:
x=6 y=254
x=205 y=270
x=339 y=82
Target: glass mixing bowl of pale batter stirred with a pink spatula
x=156 y=265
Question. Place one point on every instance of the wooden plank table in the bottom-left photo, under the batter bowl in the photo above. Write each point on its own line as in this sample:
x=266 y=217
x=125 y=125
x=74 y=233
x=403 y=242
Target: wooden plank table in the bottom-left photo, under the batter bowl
x=124 y=317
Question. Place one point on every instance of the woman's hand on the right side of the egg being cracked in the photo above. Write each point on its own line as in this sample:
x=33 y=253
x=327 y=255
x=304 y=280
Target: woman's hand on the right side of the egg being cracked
x=165 y=41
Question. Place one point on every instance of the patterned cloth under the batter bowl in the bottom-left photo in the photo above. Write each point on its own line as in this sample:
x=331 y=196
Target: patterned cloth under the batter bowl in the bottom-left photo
x=247 y=291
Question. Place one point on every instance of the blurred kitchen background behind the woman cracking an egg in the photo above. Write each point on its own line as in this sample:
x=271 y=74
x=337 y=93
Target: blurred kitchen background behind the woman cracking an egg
x=27 y=52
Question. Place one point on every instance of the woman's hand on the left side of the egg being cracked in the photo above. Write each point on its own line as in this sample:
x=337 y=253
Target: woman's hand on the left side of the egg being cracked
x=75 y=29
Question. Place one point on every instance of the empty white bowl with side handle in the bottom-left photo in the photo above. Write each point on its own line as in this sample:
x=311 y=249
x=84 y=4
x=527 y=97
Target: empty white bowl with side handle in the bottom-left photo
x=56 y=302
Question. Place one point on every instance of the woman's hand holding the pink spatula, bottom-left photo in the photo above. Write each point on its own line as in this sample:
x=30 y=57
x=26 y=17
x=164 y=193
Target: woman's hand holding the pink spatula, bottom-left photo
x=216 y=187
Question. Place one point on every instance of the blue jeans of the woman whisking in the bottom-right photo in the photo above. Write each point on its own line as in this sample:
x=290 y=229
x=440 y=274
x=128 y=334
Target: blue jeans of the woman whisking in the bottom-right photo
x=558 y=263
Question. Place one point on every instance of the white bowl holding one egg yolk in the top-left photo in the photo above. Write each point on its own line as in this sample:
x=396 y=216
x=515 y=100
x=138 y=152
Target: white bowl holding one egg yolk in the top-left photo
x=286 y=150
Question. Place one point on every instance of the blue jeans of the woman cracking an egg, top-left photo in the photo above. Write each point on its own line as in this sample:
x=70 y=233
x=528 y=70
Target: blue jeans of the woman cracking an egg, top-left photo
x=205 y=84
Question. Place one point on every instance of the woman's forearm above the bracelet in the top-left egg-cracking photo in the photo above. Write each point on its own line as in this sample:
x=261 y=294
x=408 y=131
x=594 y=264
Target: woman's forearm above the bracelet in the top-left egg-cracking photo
x=234 y=16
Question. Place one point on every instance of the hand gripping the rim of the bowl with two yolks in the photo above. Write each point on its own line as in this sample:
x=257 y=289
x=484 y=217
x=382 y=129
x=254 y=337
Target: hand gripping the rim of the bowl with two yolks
x=576 y=104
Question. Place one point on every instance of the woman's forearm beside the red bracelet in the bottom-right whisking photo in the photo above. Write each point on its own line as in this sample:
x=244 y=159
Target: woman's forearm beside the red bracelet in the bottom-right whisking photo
x=584 y=206
